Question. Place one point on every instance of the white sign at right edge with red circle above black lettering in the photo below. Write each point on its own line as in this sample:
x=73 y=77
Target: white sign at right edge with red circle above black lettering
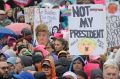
x=113 y=24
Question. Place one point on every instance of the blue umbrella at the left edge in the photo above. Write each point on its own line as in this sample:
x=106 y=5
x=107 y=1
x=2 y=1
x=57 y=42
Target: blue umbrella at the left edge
x=5 y=31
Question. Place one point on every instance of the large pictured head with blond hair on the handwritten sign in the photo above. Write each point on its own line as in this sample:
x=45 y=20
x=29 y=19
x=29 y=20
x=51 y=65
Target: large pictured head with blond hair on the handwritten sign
x=42 y=34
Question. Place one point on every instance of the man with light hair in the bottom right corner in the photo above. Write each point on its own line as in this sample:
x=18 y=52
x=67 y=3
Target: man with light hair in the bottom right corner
x=110 y=70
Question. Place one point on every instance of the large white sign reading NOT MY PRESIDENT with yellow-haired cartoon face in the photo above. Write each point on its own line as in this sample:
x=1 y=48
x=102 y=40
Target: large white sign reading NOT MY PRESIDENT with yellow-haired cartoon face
x=87 y=26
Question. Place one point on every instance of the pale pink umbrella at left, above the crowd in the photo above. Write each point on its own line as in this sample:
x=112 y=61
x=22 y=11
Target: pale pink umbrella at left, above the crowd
x=18 y=27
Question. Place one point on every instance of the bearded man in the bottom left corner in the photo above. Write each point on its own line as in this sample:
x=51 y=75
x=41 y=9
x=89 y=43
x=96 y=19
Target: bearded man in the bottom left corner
x=4 y=70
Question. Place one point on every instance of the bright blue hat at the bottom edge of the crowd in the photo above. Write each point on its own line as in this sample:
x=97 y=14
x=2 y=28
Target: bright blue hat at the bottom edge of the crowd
x=24 y=75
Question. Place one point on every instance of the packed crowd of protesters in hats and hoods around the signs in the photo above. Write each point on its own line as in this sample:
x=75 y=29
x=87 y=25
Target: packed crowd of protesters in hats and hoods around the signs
x=50 y=59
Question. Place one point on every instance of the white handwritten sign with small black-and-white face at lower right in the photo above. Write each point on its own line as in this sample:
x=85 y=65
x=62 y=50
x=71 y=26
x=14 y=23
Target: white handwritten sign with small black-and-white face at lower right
x=48 y=16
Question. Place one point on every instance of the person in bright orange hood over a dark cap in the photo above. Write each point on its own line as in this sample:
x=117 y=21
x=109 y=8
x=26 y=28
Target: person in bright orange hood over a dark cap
x=48 y=67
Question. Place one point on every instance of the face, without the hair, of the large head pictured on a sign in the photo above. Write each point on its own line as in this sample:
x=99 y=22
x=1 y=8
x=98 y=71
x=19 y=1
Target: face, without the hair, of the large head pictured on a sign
x=42 y=38
